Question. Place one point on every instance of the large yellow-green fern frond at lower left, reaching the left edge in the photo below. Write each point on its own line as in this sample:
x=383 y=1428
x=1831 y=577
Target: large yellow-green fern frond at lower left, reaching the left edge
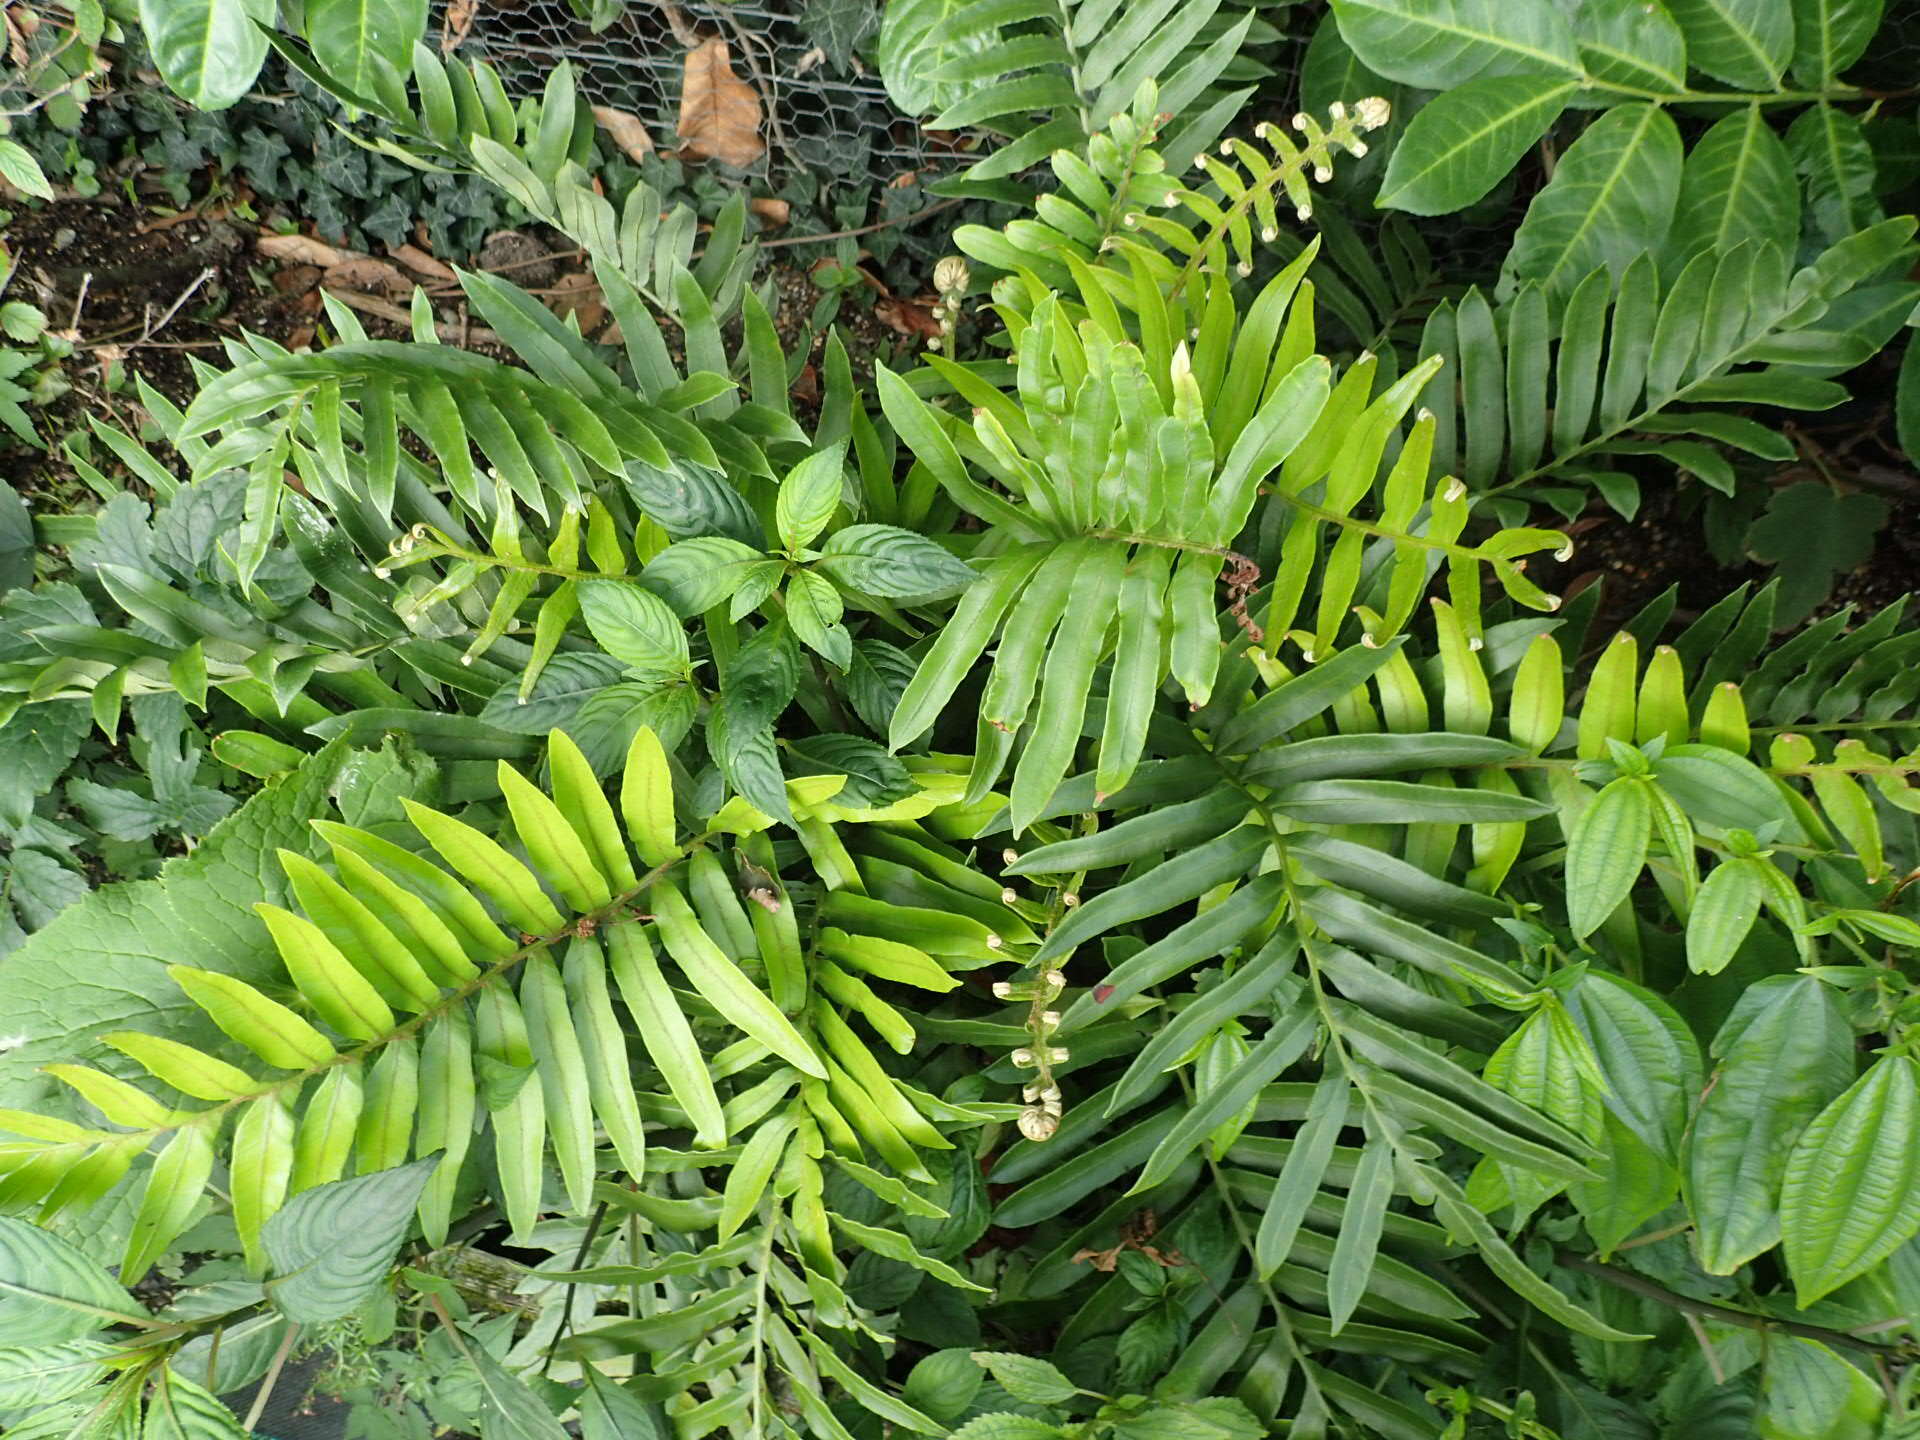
x=421 y=996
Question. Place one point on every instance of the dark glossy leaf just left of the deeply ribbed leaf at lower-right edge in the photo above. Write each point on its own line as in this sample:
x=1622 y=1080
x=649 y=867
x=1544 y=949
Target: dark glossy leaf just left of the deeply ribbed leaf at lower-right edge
x=1785 y=1055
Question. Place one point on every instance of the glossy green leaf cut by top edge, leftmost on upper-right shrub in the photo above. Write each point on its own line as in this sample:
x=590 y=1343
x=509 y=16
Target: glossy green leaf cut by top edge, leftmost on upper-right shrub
x=1439 y=45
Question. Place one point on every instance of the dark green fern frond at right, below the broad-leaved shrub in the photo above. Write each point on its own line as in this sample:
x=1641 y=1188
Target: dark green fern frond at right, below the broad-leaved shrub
x=1612 y=375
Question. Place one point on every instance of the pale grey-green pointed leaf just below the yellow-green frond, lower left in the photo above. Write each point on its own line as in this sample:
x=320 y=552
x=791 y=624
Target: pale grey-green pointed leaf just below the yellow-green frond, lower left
x=331 y=1247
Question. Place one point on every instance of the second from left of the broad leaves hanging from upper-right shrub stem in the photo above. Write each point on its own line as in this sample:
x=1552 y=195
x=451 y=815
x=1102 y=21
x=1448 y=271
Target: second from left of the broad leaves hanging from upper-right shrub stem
x=1610 y=201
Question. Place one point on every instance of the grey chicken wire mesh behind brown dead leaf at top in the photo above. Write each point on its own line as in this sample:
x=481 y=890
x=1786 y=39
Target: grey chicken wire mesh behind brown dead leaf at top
x=823 y=118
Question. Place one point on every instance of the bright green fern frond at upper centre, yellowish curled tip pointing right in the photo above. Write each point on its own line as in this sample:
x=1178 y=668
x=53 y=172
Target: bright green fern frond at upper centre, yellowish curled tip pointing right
x=1134 y=494
